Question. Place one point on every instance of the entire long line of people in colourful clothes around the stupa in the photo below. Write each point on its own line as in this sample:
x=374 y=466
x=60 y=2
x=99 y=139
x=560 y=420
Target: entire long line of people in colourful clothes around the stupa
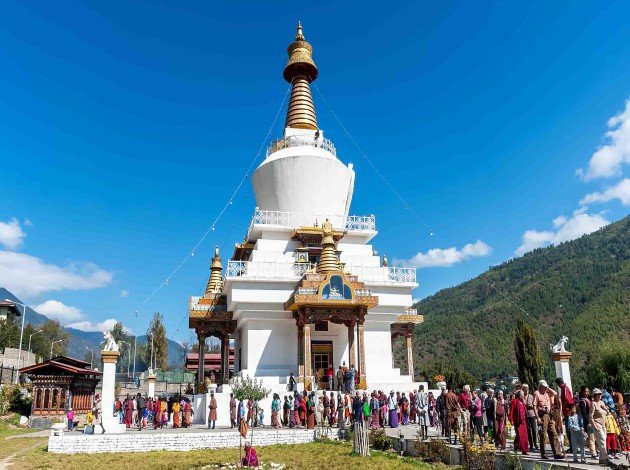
x=594 y=422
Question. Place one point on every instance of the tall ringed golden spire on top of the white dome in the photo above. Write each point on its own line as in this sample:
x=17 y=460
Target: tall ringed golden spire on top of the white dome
x=300 y=71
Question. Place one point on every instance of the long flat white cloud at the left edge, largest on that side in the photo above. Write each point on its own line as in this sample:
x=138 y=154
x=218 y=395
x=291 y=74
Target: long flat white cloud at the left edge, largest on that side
x=26 y=275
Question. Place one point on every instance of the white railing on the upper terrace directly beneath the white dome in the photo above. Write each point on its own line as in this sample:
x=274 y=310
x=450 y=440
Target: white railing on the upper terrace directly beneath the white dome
x=303 y=219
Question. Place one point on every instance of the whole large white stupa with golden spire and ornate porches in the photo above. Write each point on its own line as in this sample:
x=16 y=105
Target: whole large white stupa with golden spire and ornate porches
x=299 y=293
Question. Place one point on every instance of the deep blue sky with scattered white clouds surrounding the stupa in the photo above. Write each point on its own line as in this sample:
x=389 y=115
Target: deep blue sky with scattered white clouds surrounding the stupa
x=125 y=127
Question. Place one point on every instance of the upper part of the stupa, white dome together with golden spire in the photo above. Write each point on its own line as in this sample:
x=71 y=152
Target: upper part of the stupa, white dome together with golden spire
x=301 y=172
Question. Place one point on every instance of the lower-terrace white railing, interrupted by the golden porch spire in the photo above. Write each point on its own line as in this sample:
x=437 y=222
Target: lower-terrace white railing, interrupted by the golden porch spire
x=280 y=269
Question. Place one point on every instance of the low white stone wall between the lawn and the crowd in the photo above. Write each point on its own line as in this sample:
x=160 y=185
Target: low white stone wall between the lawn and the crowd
x=134 y=441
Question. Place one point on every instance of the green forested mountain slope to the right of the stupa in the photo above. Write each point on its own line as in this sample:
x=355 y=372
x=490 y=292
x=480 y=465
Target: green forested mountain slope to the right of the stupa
x=580 y=289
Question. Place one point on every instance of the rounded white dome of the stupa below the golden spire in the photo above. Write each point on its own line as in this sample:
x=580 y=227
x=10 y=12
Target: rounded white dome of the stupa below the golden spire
x=304 y=179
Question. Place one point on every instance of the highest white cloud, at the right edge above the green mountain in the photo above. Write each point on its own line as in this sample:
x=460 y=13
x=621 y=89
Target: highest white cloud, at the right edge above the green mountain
x=608 y=159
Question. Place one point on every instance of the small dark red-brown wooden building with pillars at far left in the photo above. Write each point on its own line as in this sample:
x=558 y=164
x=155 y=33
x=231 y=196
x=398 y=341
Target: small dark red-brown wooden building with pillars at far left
x=62 y=382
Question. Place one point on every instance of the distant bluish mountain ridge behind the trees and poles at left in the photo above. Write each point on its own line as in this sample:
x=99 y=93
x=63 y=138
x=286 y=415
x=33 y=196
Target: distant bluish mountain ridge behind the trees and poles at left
x=88 y=339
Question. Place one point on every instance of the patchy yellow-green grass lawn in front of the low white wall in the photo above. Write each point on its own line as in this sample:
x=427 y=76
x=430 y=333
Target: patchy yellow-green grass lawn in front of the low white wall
x=308 y=456
